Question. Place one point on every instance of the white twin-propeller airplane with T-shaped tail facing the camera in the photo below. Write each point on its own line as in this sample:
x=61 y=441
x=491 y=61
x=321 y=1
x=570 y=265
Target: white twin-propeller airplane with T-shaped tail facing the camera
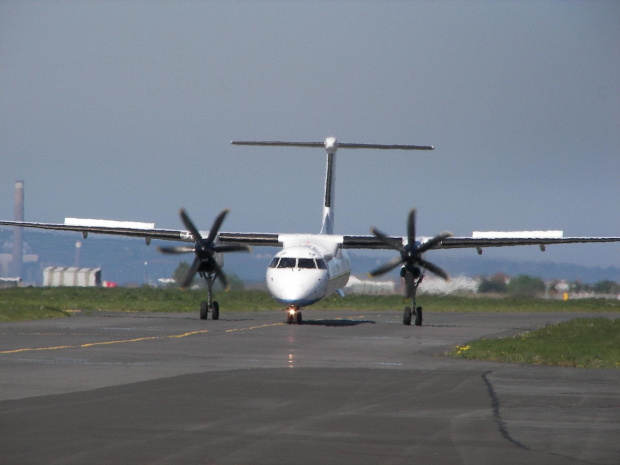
x=309 y=267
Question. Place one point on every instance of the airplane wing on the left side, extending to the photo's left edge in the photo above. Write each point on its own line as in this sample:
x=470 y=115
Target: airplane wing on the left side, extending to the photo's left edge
x=146 y=231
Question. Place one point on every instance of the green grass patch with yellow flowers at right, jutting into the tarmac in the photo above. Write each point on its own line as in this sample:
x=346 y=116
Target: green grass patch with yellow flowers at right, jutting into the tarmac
x=579 y=343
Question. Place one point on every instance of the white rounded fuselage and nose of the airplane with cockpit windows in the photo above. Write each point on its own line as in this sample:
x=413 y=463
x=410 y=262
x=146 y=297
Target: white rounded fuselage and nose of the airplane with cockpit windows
x=308 y=268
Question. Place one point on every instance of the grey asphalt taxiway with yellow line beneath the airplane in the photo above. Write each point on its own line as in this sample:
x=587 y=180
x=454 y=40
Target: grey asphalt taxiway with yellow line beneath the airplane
x=345 y=387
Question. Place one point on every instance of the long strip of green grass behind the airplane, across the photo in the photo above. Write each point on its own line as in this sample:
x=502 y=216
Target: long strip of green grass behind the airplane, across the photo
x=20 y=304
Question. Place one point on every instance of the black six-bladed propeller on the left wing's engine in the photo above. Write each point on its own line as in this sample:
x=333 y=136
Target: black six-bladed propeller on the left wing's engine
x=204 y=249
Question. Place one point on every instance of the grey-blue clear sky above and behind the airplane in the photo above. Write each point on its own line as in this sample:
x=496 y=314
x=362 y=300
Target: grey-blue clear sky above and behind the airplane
x=126 y=110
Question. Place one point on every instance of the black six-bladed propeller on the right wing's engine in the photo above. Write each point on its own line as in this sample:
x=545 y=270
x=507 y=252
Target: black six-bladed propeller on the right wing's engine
x=410 y=255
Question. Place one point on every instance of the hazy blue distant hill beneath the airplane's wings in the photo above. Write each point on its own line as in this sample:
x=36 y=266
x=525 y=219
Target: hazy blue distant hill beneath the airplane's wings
x=122 y=260
